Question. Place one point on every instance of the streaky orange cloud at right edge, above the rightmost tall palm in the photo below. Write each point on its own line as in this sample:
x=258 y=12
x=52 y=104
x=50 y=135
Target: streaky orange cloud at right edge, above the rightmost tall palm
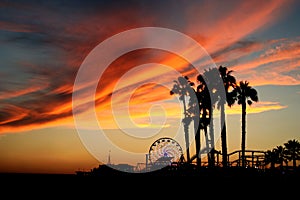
x=275 y=64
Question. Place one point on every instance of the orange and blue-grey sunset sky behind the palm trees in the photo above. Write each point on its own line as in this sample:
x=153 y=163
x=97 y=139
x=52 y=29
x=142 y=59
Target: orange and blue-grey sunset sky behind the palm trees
x=44 y=44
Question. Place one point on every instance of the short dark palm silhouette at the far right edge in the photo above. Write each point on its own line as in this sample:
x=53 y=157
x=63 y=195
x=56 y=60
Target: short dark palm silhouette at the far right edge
x=292 y=151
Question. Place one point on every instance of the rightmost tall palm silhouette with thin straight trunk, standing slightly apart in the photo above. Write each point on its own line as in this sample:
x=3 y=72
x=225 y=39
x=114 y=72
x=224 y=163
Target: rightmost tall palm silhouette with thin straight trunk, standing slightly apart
x=245 y=95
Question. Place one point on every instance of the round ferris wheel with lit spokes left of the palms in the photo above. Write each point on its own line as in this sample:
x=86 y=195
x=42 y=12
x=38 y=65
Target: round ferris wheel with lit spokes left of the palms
x=165 y=150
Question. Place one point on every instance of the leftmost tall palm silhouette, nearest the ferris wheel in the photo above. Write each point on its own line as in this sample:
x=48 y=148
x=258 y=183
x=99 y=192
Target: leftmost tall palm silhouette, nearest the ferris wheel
x=183 y=88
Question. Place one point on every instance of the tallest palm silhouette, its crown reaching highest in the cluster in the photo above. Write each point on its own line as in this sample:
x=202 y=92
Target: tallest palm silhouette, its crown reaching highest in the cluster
x=229 y=82
